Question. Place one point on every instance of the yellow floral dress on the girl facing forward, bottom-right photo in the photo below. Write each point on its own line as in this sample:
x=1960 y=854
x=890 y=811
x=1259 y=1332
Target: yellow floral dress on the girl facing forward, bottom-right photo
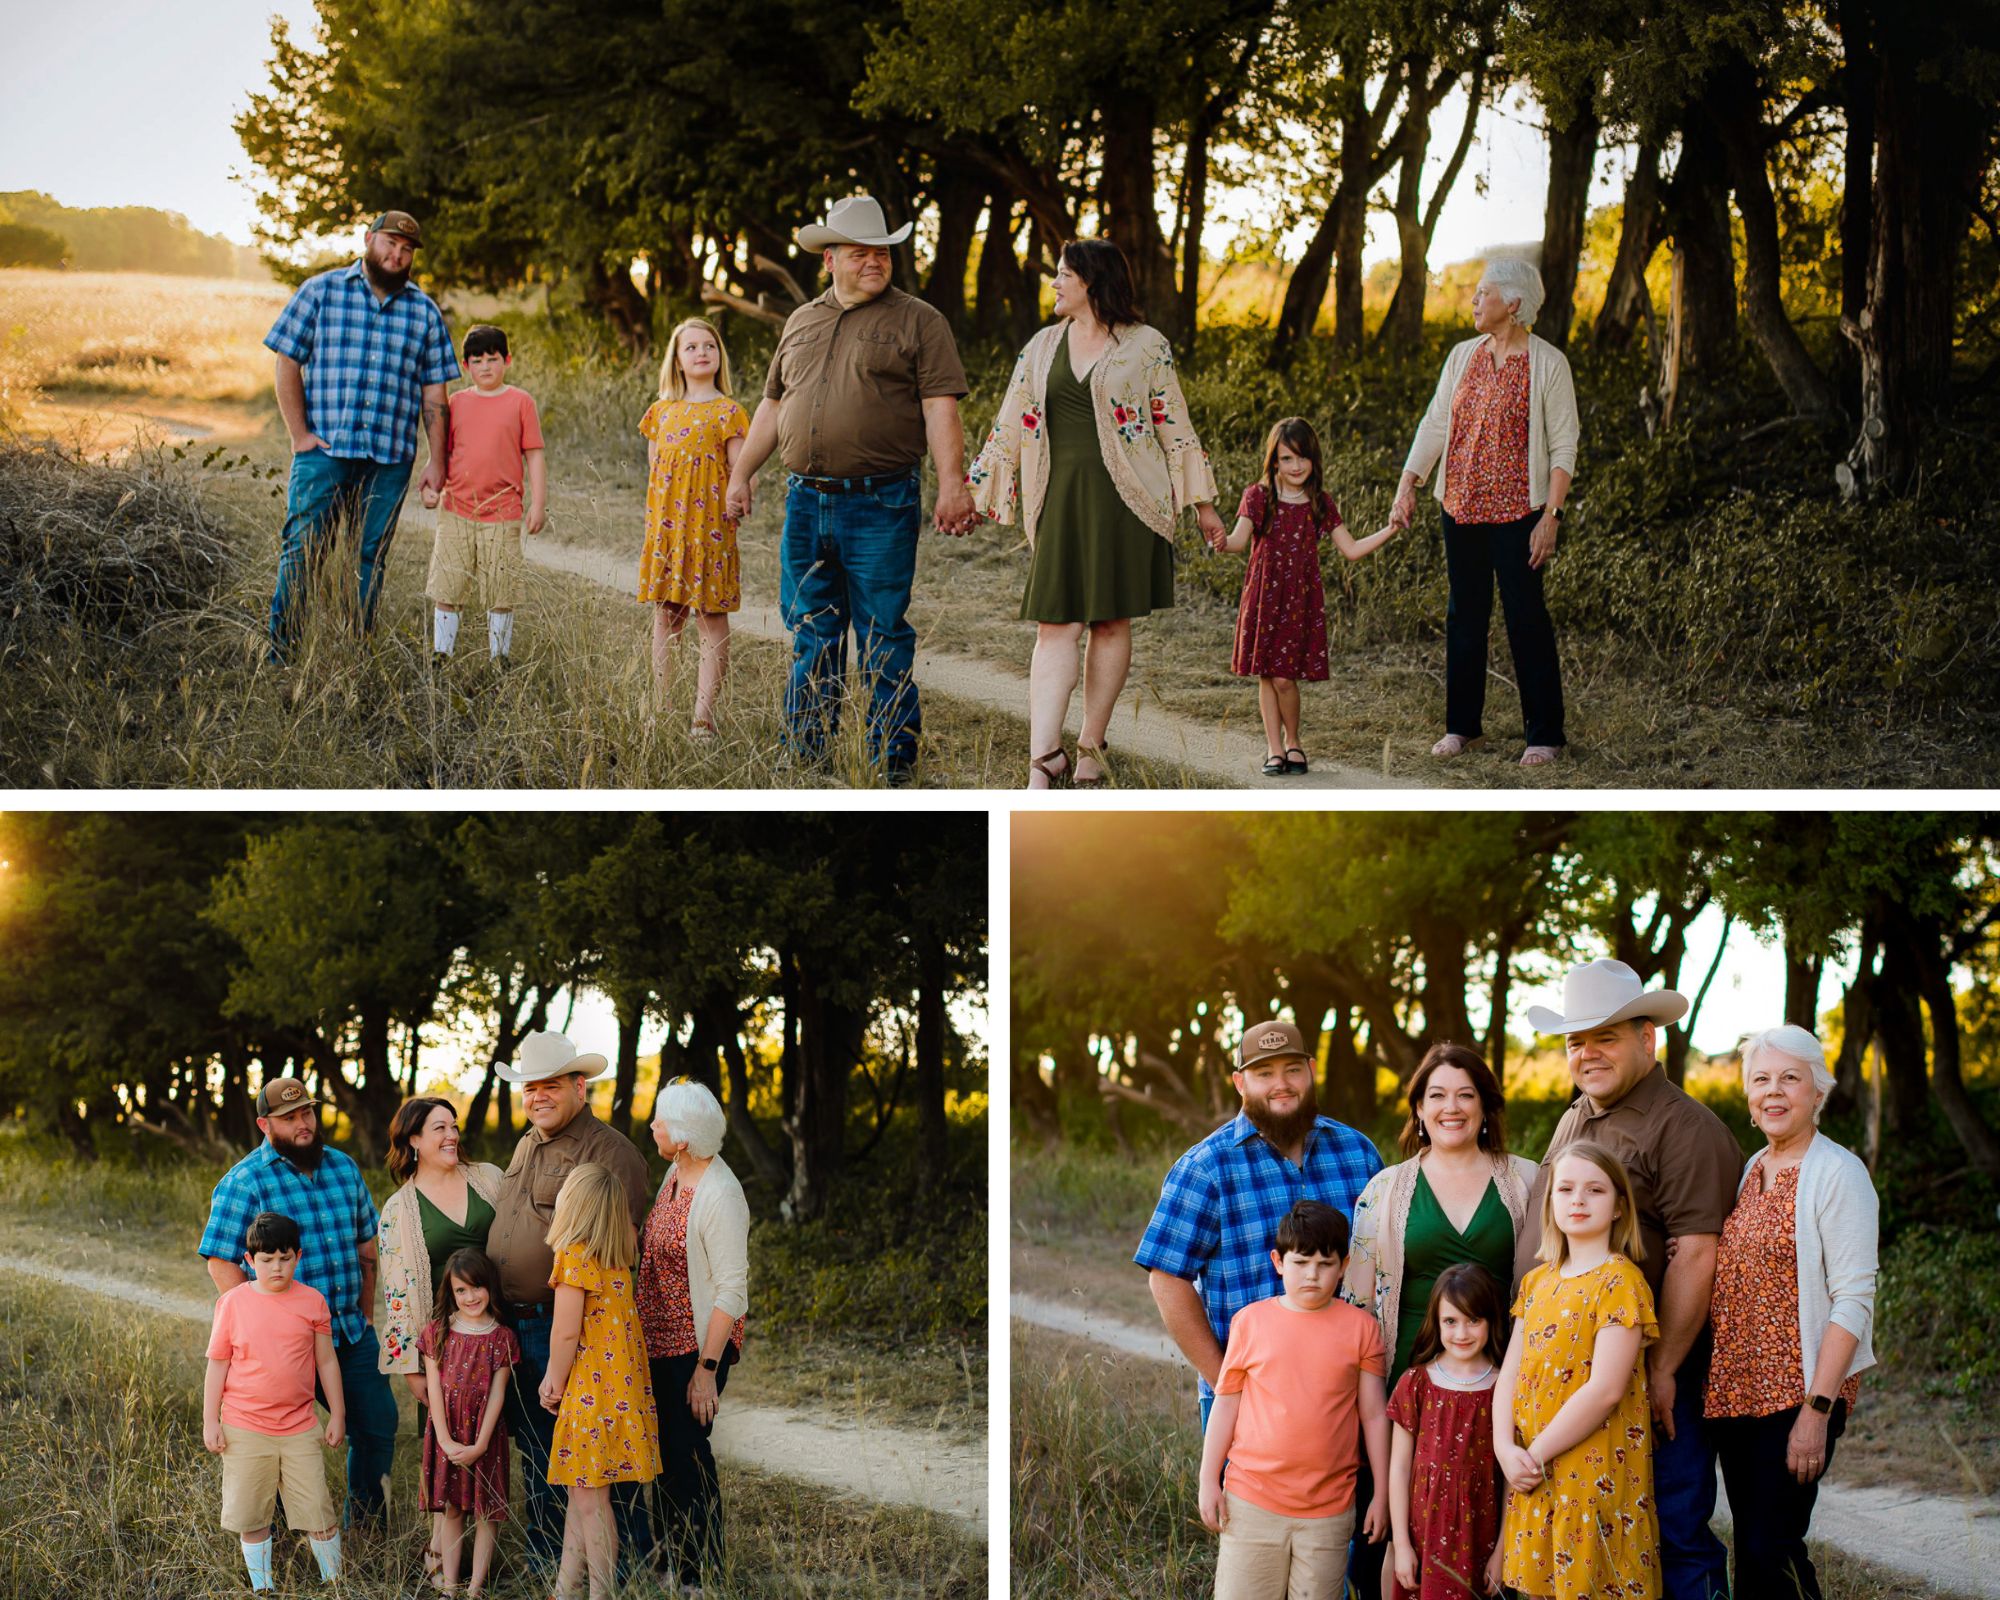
x=1591 y=1531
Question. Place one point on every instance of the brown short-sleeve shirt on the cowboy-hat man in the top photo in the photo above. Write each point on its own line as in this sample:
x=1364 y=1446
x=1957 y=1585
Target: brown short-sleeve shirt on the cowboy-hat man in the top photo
x=853 y=381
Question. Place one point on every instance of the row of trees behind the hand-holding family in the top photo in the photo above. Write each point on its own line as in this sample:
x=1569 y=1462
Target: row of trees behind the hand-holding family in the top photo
x=575 y=139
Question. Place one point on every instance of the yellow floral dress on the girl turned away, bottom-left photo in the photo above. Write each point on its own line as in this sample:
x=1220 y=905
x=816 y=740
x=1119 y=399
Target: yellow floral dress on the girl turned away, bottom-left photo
x=607 y=1431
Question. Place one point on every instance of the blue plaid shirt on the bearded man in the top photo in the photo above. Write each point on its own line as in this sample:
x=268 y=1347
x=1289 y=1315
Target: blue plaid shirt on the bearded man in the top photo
x=367 y=363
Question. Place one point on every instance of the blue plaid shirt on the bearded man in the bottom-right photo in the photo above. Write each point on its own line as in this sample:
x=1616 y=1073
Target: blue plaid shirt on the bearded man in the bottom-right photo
x=1223 y=1201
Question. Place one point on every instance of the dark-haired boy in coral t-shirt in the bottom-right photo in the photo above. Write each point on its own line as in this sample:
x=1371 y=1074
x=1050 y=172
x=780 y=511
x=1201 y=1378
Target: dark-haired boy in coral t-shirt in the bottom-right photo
x=1295 y=1375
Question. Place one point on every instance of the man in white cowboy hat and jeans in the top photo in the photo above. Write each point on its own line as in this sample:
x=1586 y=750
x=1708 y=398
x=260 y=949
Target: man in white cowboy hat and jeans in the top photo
x=865 y=381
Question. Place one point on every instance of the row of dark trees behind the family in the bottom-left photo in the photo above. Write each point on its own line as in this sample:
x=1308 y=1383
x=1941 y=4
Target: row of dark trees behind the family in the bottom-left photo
x=155 y=967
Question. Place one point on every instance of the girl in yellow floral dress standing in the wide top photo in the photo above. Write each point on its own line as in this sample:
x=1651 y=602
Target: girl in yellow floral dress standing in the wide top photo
x=689 y=565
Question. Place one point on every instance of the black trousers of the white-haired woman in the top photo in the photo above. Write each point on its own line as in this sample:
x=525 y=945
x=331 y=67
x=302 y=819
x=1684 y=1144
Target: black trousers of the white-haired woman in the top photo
x=1479 y=557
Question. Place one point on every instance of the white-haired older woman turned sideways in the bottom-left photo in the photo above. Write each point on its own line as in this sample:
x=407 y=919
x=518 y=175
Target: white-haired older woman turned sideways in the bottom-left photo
x=693 y=1299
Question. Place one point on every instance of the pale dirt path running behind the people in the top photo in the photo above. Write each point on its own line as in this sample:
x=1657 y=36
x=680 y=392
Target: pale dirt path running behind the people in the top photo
x=1213 y=757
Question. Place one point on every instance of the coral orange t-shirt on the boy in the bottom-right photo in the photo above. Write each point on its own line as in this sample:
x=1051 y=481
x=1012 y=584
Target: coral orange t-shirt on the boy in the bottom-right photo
x=1297 y=1447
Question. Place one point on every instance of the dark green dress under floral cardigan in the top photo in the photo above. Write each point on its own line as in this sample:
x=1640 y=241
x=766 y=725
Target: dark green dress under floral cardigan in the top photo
x=1093 y=559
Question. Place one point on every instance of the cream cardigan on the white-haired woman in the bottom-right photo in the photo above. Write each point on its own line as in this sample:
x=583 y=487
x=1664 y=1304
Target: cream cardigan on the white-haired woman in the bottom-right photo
x=1837 y=1225
